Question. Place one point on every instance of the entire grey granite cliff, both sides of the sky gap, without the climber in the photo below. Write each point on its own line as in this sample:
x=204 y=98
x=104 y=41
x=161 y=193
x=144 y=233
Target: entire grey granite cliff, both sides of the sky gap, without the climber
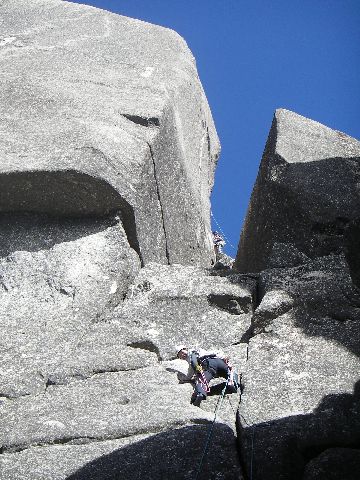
x=108 y=155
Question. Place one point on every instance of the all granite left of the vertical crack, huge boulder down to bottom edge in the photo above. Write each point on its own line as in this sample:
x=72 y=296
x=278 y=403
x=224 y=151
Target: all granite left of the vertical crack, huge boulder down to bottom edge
x=108 y=155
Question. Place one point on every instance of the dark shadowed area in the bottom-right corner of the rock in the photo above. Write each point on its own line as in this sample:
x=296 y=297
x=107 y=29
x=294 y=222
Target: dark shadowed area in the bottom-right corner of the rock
x=317 y=445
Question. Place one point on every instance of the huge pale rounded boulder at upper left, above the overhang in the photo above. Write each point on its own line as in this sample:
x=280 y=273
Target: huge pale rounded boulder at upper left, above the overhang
x=102 y=114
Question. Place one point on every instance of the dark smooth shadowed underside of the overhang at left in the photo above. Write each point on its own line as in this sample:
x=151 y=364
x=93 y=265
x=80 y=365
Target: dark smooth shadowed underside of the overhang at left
x=65 y=193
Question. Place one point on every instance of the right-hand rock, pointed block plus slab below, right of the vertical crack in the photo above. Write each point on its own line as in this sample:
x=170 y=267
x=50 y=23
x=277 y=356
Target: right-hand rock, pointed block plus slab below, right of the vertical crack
x=299 y=416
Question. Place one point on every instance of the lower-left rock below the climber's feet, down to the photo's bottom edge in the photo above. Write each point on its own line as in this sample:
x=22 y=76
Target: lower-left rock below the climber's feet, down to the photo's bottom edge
x=112 y=424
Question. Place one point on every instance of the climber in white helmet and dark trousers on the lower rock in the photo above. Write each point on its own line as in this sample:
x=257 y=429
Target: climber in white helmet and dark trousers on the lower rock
x=204 y=366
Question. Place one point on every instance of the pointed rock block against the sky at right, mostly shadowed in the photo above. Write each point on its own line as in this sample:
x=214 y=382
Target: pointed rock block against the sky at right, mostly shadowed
x=306 y=200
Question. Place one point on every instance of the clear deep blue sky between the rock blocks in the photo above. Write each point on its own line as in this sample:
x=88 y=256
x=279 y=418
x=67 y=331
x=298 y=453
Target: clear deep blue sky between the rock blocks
x=254 y=56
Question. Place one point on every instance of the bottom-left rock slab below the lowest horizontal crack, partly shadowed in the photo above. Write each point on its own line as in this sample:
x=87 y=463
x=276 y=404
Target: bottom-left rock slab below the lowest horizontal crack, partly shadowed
x=174 y=454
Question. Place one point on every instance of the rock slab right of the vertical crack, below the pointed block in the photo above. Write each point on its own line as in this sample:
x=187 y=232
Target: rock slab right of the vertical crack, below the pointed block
x=301 y=380
